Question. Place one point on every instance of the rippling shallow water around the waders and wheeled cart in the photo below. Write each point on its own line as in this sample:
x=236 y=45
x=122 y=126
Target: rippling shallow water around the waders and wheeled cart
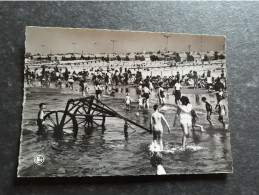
x=99 y=151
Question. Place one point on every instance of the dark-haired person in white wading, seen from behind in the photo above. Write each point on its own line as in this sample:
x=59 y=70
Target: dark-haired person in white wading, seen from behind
x=184 y=113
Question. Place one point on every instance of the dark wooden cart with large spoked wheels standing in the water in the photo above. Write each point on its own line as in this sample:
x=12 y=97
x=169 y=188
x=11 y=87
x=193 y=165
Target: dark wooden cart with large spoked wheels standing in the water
x=82 y=112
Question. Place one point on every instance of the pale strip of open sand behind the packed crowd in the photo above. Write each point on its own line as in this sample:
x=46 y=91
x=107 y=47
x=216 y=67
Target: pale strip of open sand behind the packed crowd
x=148 y=69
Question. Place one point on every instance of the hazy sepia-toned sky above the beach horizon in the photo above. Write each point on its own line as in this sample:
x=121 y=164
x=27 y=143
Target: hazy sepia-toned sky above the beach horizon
x=60 y=40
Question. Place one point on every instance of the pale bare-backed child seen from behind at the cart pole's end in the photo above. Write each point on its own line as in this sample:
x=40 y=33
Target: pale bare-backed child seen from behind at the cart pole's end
x=157 y=127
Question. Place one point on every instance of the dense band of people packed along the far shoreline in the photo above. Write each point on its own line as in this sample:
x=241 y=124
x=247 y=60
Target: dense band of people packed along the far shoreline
x=117 y=77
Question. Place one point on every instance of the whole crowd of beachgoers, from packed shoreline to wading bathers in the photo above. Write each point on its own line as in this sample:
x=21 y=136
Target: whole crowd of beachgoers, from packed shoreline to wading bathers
x=110 y=78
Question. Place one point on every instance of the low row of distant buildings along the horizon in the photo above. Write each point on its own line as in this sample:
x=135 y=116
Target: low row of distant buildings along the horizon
x=173 y=56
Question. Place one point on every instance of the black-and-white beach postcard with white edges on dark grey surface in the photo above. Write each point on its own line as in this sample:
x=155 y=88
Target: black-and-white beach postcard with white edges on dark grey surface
x=107 y=103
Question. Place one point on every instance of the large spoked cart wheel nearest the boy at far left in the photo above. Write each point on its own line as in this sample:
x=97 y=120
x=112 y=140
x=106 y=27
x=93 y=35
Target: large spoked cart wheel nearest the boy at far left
x=61 y=122
